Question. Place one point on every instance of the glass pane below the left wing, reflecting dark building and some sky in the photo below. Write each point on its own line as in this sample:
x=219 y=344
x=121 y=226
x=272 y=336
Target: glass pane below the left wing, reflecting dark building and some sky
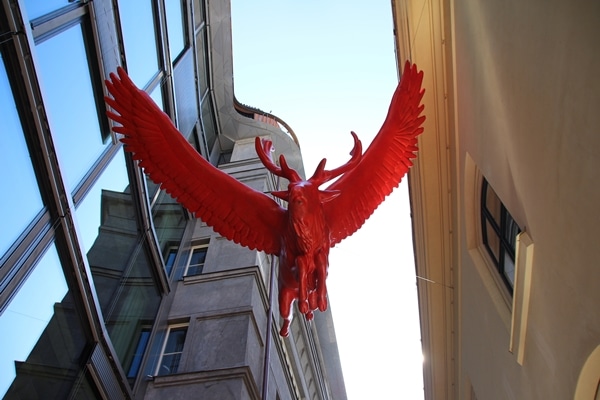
x=118 y=255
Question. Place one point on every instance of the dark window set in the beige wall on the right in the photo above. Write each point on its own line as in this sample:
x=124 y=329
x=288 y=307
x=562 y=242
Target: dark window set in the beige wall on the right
x=499 y=231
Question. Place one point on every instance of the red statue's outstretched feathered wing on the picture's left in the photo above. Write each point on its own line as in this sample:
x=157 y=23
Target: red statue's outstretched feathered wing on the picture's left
x=234 y=210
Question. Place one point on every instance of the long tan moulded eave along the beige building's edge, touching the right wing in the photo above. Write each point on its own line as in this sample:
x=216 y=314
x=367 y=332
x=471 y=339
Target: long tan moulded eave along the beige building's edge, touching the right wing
x=421 y=37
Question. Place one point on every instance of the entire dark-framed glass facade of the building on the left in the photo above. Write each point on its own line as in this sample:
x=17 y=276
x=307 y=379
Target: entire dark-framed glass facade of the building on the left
x=88 y=244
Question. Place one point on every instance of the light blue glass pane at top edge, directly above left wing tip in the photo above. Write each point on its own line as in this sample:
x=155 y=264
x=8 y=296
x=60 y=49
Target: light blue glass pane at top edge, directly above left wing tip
x=139 y=37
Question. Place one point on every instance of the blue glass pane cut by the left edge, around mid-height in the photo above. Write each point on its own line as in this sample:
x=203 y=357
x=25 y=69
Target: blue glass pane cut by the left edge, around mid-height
x=16 y=172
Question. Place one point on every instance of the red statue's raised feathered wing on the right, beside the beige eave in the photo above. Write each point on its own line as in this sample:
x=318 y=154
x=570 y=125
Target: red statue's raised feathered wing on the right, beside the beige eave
x=384 y=163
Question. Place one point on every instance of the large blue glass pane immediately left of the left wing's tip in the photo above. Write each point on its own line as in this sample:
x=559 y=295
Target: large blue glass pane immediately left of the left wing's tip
x=70 y=103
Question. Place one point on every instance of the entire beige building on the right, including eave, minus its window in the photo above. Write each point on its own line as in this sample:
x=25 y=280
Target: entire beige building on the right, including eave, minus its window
x=522 y=109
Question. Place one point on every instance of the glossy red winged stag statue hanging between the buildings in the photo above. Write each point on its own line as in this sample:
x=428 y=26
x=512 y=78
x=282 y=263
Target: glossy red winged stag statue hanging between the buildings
x=315 y=219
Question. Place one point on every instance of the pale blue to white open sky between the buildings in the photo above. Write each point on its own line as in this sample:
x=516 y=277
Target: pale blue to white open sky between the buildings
x=326 y=68
